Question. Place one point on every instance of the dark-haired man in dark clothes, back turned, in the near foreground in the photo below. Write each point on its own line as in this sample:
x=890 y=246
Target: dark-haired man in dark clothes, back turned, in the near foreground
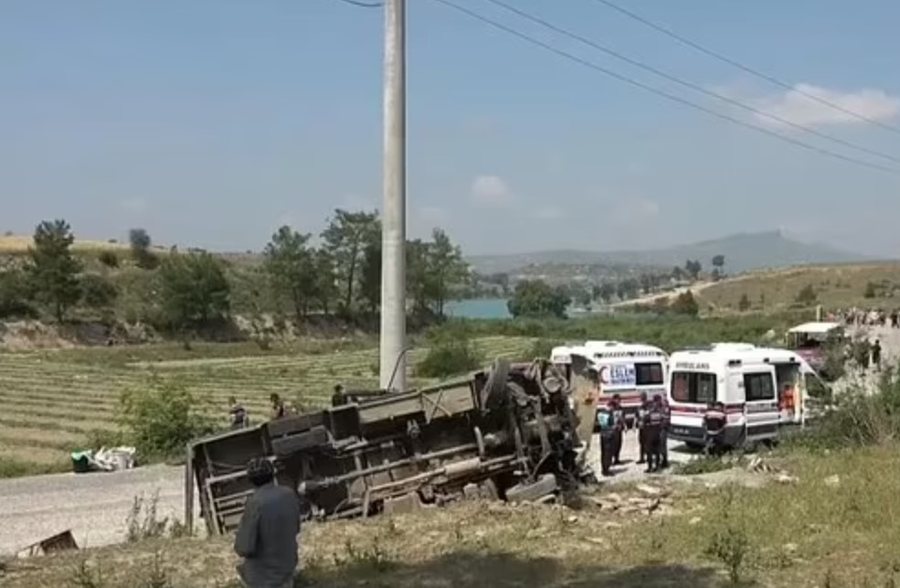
x=267 y=536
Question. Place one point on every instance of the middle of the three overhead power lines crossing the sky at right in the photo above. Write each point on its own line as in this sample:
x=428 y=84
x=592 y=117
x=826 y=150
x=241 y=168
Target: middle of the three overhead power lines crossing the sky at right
x=692 y=85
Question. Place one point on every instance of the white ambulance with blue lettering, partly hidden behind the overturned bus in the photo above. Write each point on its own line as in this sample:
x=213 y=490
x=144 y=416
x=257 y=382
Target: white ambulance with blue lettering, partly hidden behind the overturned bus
x=626 y=369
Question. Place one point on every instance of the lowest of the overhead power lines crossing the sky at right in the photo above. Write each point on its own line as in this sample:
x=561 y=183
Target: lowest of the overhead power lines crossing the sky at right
x=630 y=81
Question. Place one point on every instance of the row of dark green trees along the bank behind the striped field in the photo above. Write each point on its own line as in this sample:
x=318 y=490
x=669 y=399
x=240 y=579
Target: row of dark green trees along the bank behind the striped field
x=340 y=274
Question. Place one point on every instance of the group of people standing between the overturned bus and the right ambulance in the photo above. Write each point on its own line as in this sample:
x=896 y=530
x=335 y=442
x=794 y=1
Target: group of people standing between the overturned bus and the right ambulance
x=652 y=424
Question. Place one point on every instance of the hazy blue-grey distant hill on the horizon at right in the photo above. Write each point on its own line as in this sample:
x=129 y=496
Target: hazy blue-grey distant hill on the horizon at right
x=743 y=252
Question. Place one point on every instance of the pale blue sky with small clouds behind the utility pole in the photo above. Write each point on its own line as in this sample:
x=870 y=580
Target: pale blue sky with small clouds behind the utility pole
x=212 y=122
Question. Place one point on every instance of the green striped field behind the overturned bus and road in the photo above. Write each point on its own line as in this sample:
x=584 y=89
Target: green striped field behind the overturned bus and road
x=51 y=401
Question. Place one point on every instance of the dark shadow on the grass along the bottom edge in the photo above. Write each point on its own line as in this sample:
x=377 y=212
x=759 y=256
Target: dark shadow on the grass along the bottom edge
x=477 y=570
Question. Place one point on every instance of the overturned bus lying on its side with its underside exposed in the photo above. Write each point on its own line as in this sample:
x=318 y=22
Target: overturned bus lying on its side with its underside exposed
x=509 y=432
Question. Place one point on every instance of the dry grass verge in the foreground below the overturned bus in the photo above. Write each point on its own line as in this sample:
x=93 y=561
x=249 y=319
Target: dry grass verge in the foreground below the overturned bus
x=810 y=533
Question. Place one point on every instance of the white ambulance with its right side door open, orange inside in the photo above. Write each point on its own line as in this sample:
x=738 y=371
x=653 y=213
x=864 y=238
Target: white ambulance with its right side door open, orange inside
x=762 y=389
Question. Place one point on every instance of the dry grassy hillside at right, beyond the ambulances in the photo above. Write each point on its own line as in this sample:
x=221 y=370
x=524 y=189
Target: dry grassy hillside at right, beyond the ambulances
x=836 y=286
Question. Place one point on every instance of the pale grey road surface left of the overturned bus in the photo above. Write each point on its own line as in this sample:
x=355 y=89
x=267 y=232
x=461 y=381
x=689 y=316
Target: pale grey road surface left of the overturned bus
x=93 y=506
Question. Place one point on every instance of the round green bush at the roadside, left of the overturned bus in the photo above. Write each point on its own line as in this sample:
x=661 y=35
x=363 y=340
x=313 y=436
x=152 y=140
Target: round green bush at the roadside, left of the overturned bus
x=161 y=420
